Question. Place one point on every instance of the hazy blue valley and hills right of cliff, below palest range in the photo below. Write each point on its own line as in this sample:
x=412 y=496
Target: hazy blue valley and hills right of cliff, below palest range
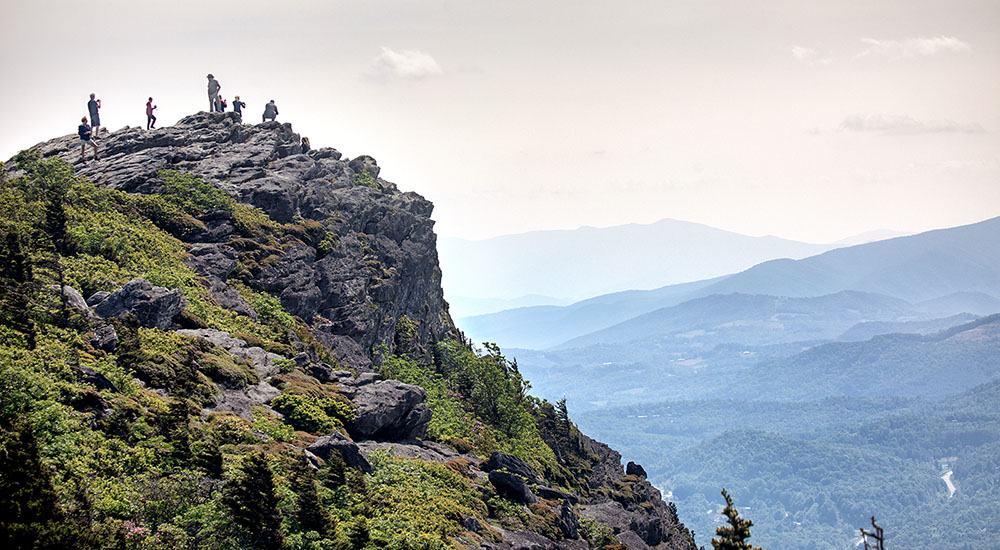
x=865 y=389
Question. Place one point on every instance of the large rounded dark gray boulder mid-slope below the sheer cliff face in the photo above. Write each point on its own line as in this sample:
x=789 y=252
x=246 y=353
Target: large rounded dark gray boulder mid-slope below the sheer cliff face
x=389 y=410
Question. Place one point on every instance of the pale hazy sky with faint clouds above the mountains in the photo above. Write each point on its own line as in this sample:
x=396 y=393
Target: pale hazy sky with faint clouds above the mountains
x=808 y=120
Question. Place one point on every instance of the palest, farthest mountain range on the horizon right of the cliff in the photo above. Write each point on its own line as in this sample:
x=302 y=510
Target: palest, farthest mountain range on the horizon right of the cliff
x=590 y=261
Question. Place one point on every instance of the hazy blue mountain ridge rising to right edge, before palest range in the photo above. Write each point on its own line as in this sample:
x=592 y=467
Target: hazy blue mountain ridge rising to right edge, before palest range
x=961 y=262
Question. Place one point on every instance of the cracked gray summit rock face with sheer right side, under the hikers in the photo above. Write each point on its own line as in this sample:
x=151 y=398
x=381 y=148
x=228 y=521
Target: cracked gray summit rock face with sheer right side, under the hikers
x=379 y=263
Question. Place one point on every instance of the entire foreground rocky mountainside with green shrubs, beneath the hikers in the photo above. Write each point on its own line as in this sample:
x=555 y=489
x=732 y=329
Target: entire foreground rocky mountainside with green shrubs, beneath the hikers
x=305 y=397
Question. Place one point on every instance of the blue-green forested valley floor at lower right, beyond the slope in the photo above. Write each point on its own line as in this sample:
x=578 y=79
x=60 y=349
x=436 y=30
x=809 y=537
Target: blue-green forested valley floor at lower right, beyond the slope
x=811 y=473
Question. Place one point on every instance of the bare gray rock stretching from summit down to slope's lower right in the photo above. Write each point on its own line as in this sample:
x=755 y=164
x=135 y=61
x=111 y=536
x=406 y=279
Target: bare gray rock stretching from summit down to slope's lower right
x=381 y=266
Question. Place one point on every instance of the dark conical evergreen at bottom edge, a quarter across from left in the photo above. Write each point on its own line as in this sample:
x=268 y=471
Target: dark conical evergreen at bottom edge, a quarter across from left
x=249 y=495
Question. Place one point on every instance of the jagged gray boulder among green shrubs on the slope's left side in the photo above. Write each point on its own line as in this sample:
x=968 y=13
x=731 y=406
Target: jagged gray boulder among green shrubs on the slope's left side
x=153 y=306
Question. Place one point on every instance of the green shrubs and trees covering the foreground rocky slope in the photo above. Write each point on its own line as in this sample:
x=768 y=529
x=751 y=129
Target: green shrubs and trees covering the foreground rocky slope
x=113 y=450
